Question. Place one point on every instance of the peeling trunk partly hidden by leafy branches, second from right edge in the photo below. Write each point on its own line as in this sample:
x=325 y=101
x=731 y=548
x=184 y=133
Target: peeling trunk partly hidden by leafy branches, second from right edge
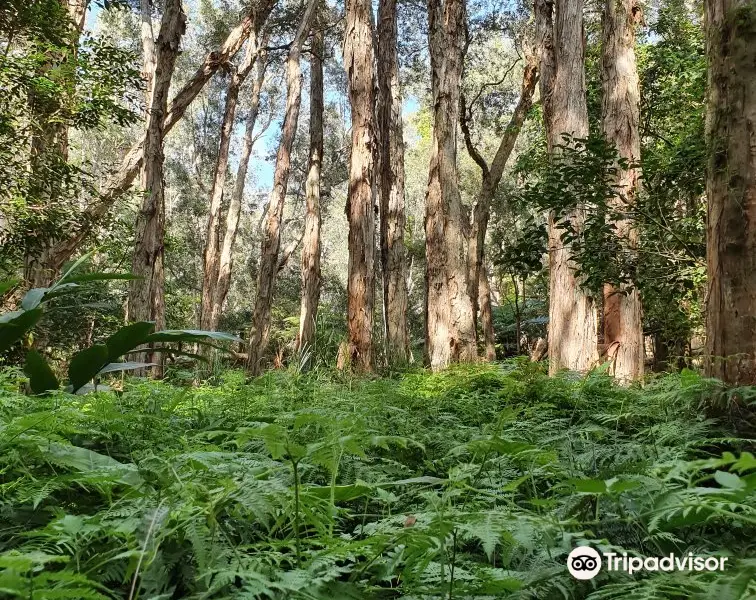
x=623 y=324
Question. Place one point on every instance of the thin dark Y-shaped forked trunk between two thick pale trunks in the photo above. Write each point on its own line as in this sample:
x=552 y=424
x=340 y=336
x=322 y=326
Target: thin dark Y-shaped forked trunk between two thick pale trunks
x=491 y=177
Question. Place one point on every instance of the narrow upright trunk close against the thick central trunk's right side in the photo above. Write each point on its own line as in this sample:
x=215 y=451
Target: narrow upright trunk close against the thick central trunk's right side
x=391 y=179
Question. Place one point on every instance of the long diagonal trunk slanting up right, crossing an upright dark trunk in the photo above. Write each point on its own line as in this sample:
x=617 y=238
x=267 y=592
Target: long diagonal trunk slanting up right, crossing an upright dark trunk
x=50 y=260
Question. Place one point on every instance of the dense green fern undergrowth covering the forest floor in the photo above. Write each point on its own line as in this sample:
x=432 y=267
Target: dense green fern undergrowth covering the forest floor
x=471 y=483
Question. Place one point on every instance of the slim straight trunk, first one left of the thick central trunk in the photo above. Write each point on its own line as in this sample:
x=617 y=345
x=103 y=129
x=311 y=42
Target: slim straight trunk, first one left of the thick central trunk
x=310 y=262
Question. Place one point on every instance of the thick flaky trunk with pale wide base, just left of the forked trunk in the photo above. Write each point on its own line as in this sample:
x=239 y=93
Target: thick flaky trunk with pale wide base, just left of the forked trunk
x=450 y=321
